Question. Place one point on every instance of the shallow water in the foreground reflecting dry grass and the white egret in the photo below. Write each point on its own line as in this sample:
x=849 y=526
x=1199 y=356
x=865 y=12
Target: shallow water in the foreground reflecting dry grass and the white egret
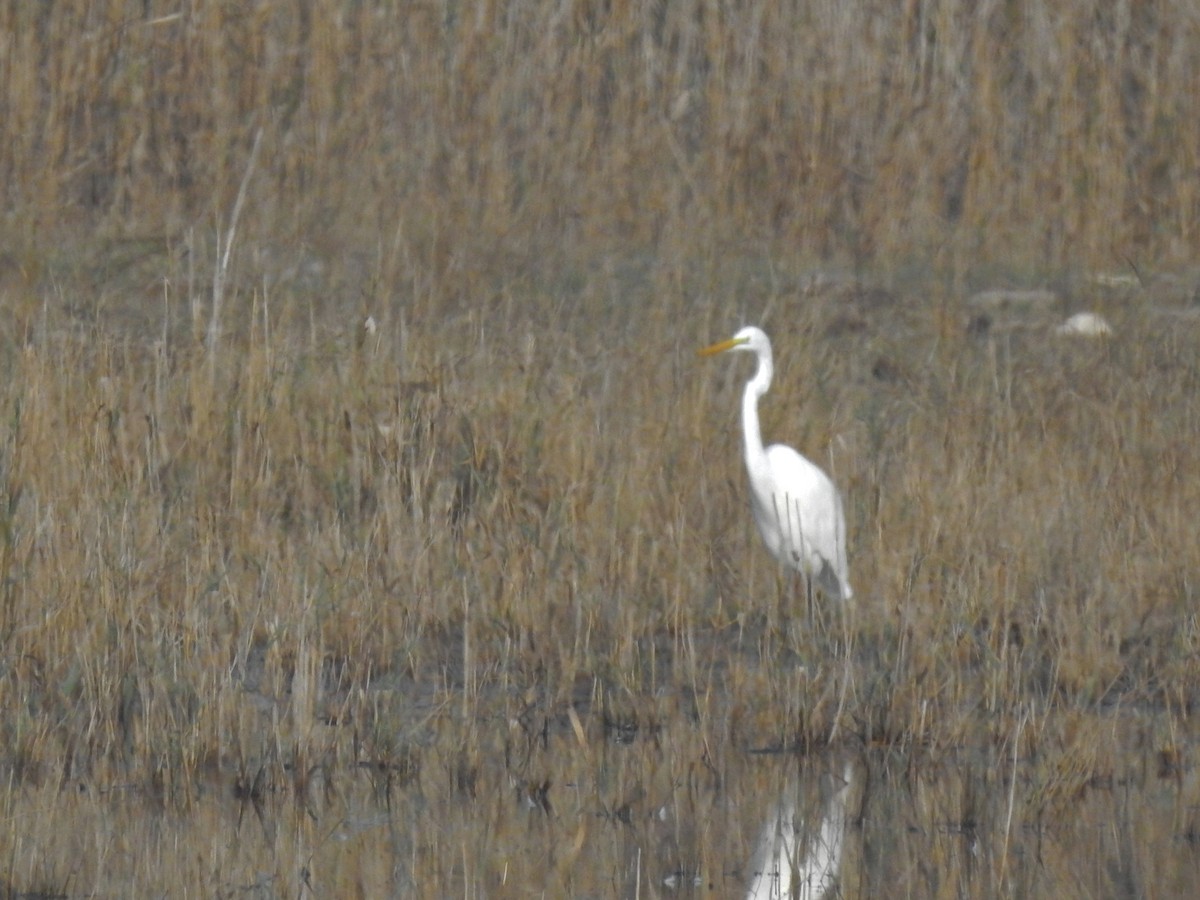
x=579 y=808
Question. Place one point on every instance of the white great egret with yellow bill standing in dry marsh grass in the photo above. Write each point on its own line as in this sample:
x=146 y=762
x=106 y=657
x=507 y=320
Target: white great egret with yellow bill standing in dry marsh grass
x=796 y=506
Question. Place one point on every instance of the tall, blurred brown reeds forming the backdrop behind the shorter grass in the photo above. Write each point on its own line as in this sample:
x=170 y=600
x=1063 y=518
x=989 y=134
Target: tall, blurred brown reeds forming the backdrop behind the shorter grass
x=425 y=154
